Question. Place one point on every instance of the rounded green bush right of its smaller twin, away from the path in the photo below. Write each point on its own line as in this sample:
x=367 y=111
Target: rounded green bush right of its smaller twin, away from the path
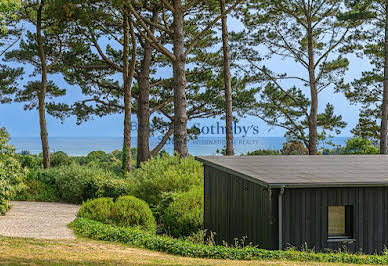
x=131 y=211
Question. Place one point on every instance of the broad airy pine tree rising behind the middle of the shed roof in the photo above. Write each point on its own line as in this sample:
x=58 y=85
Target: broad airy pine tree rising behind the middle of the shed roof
x=309 y=33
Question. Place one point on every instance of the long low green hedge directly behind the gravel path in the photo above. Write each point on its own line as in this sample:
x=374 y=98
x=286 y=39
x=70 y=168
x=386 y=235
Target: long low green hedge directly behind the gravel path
x=73 y=184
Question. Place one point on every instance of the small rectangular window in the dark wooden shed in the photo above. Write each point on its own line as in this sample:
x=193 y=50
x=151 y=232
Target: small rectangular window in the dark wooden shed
x=340 y=222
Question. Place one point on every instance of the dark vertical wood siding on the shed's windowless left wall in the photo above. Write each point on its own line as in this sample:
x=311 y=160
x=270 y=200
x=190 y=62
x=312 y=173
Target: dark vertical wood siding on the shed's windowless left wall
x=236 y=208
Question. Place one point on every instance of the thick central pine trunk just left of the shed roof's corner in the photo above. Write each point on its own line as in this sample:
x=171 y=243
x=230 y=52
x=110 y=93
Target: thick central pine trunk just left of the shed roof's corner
x=179 y=76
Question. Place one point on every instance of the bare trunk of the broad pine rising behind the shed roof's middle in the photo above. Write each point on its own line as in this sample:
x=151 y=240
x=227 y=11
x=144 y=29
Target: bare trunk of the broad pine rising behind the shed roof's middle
x=312 y=120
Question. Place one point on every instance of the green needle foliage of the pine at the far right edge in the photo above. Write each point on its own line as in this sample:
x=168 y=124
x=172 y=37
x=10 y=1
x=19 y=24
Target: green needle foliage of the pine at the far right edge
x=366 y=91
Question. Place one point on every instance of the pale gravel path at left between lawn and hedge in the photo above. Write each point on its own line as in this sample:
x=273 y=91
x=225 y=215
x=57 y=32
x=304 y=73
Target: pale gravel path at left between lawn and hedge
x=38 y=220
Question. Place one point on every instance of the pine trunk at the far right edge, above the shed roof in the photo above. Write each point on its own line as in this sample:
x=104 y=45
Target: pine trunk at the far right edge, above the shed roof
x=383 y=133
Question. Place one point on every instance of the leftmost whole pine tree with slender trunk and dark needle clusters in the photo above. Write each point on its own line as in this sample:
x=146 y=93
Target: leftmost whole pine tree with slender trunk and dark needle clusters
x=43 y=50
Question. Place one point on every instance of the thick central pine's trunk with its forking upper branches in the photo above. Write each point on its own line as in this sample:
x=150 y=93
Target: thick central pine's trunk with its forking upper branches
x=182 y=46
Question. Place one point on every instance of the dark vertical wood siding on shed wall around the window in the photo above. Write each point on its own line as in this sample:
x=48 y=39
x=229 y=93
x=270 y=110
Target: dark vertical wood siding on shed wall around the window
x=305 y=216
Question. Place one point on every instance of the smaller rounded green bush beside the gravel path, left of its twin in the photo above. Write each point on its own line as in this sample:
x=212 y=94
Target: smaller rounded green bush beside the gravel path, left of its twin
x=97 y=209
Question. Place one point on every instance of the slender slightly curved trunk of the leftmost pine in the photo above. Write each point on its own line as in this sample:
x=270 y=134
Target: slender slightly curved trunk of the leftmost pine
x=42 y=92
